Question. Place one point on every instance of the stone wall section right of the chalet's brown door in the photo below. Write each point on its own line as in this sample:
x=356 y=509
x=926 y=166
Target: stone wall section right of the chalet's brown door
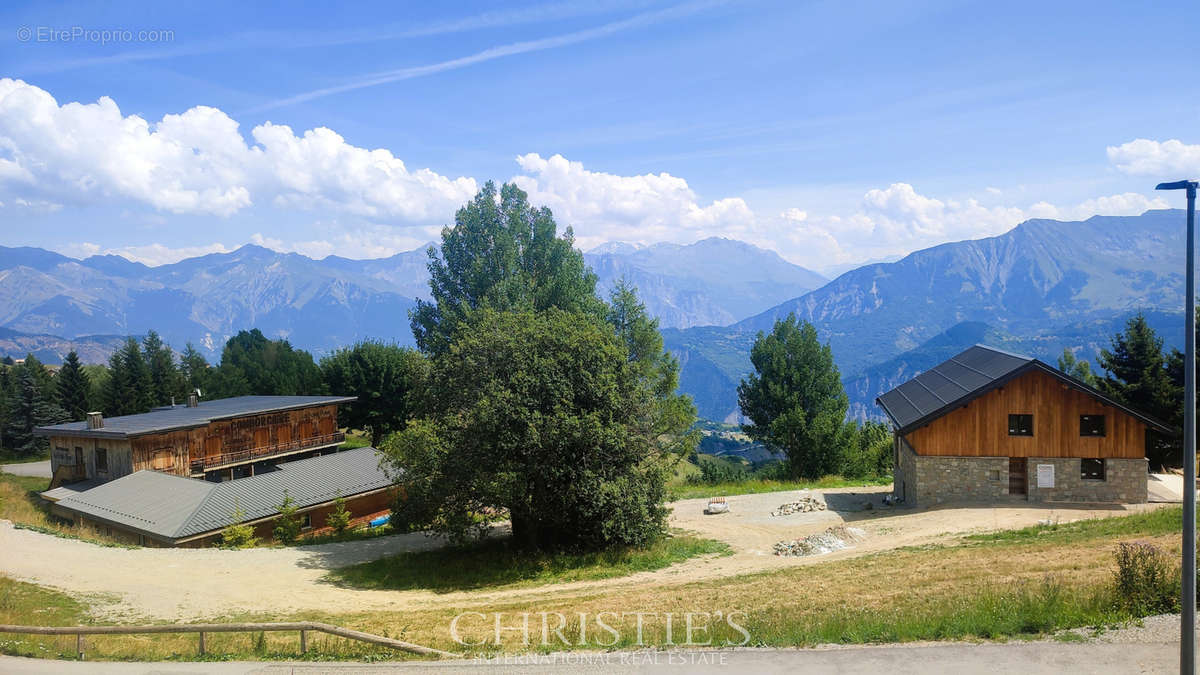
x=1125 y=481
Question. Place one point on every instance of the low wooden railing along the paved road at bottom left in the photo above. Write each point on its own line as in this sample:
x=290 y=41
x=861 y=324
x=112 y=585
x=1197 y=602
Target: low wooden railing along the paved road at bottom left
x=202 y=629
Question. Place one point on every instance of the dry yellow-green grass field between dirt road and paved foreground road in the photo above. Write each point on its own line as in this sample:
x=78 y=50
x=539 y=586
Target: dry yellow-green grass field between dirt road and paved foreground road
x=1010 y=586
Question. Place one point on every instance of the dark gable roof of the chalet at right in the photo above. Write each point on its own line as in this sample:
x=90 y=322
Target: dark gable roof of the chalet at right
x=969 y=375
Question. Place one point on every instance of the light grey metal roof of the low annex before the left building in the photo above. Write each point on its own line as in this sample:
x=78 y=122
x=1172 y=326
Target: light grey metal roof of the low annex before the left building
x=173 y=507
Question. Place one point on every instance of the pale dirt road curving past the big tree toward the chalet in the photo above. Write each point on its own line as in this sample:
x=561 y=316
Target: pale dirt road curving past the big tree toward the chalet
x=193 y=584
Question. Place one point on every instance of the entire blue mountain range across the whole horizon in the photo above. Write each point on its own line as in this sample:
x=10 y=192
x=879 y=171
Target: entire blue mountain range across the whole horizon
x=1039 y=289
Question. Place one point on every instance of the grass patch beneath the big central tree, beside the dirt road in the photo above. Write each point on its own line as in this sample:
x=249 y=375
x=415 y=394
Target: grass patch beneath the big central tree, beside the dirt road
x=495 y=565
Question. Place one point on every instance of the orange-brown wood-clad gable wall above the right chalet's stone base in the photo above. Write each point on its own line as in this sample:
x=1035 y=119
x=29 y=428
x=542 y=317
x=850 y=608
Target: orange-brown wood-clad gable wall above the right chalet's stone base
x=981 y=428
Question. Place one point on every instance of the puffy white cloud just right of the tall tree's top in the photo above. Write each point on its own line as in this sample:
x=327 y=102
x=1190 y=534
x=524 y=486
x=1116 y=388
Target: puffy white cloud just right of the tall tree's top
x=646 y=208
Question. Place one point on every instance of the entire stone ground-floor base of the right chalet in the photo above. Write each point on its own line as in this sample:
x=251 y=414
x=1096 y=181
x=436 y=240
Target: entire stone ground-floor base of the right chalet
x=928 y=480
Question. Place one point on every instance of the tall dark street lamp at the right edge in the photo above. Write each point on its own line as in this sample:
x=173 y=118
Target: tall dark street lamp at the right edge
x=1189 y=614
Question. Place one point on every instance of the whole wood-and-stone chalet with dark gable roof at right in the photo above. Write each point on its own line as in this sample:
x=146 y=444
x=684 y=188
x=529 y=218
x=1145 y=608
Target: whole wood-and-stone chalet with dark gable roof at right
x=988 y=425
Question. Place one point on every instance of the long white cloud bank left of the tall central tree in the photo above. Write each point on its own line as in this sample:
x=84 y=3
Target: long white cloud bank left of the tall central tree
x=199 y=163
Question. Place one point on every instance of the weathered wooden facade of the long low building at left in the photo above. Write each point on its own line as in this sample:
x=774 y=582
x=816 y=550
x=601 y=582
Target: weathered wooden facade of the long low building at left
x=196 y=452
